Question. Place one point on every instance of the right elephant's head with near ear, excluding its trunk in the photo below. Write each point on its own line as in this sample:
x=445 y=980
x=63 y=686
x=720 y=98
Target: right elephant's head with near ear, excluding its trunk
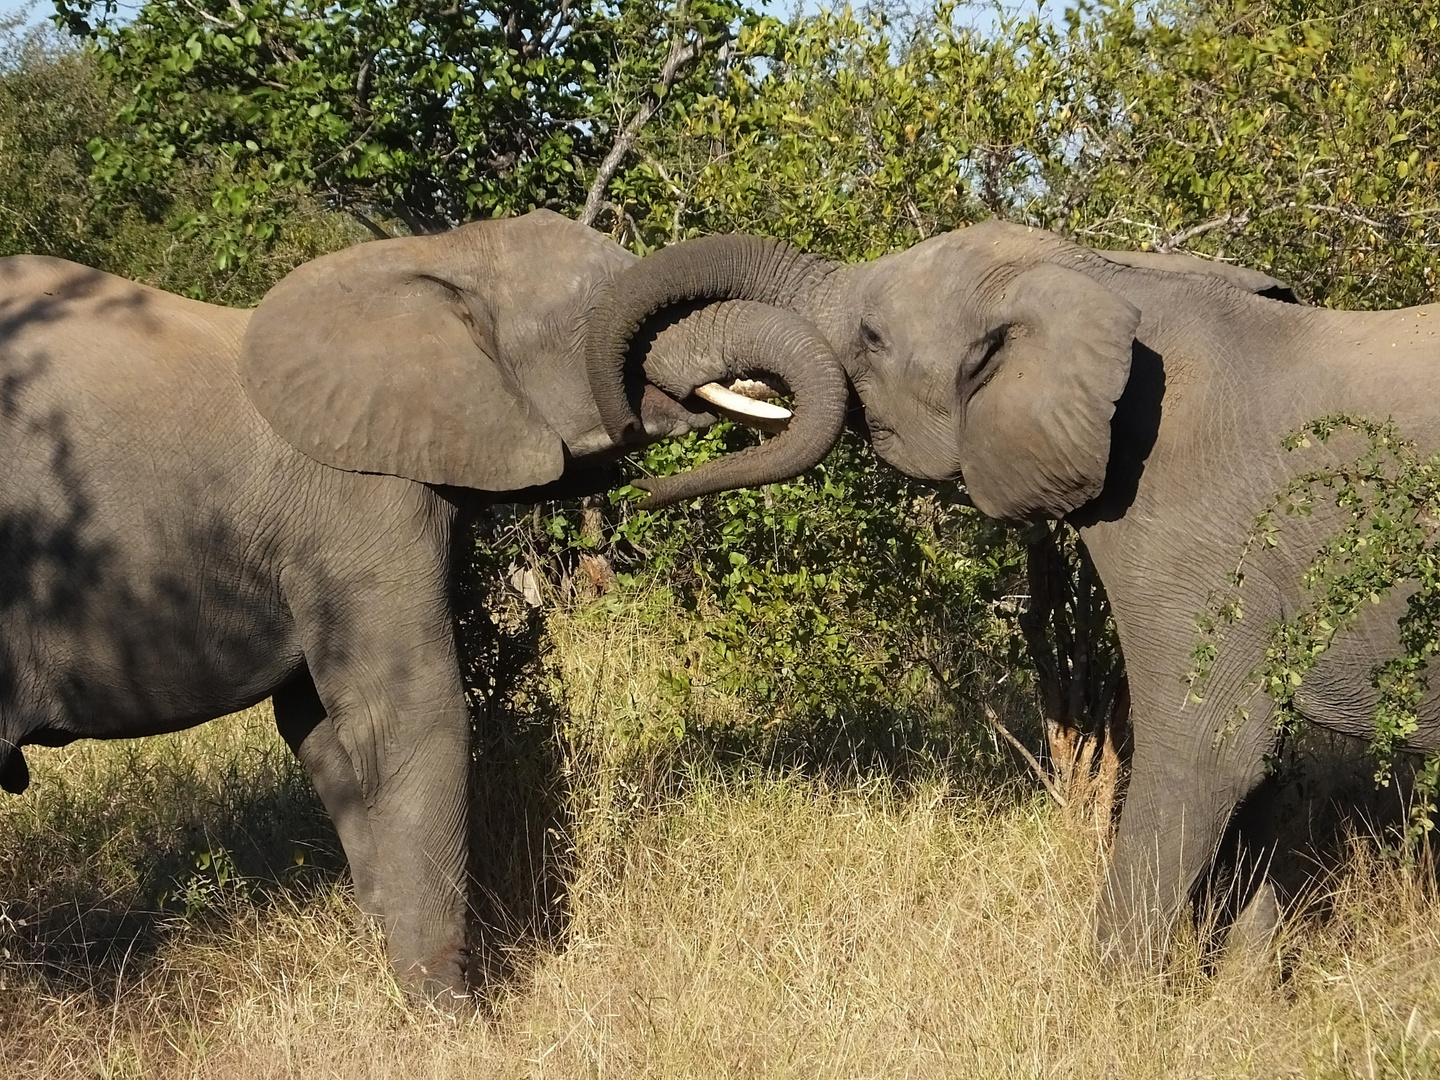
x=989 y=354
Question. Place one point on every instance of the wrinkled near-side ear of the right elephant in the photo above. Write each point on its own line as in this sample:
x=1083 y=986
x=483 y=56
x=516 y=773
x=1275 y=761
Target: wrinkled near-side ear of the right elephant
x=1038 y=434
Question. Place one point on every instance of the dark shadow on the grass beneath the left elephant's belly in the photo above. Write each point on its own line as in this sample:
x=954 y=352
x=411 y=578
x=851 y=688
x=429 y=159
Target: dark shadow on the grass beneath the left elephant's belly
x=129 y=845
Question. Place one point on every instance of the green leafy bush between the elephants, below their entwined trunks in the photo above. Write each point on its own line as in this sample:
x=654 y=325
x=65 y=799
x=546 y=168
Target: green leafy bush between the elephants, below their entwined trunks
x=819 y=598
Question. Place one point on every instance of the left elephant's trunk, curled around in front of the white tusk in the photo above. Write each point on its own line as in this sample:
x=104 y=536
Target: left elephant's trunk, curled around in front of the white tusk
x=752 y=339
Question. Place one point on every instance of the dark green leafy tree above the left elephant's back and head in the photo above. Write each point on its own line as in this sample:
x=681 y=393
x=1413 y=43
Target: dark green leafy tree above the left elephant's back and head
x=418 y=114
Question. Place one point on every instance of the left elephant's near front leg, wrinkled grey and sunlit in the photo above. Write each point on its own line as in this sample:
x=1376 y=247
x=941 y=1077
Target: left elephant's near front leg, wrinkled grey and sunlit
x=385 y=667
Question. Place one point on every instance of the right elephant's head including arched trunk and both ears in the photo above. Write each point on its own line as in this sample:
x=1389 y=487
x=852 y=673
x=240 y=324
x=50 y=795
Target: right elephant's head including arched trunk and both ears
x=996 y=352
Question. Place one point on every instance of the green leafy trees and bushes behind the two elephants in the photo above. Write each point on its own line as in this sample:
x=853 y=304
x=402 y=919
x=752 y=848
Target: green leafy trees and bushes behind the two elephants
x=212 y=145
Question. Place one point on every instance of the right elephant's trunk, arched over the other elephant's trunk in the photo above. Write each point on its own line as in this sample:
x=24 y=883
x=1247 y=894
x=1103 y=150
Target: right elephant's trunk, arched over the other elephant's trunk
x=711 y=269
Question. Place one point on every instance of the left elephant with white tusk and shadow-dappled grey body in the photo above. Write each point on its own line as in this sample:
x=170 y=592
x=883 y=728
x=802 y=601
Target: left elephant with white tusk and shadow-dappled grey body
x=205 y=508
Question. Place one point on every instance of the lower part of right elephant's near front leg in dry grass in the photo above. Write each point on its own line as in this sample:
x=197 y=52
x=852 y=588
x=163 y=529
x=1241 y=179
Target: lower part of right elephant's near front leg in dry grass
x=1186 y=784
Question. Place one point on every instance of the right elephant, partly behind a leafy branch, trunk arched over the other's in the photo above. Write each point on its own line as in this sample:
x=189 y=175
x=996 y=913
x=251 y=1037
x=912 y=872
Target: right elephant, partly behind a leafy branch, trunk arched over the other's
x=1144 y=398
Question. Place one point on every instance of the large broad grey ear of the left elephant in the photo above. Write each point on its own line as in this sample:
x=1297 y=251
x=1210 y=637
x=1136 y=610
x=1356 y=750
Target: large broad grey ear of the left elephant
x=384 y=359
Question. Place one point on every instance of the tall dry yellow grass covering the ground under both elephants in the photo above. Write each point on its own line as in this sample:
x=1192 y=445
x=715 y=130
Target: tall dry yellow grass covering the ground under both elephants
x=731 y=921
